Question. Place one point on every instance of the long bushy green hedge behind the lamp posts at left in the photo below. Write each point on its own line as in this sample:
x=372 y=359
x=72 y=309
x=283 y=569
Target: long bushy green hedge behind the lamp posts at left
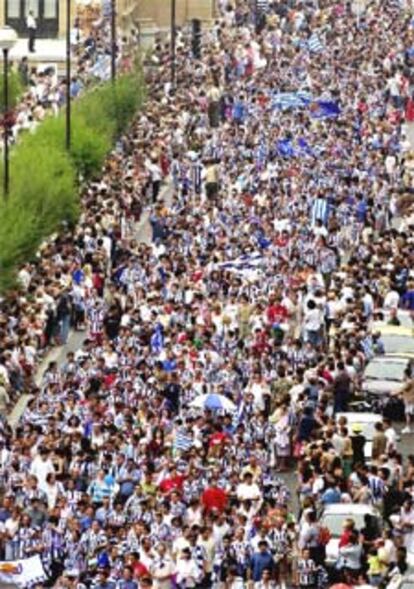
x=44 y=190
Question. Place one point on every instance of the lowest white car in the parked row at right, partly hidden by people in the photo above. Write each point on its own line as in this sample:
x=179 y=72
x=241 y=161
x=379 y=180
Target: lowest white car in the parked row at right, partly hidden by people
x=333 y=517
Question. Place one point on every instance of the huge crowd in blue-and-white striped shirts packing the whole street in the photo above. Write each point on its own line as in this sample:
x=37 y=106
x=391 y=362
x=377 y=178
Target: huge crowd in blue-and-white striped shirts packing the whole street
x=276 y=172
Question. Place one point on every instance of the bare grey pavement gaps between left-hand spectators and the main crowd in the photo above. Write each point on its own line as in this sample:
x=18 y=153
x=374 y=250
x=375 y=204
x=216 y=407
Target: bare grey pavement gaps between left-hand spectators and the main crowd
x=76 y=338
